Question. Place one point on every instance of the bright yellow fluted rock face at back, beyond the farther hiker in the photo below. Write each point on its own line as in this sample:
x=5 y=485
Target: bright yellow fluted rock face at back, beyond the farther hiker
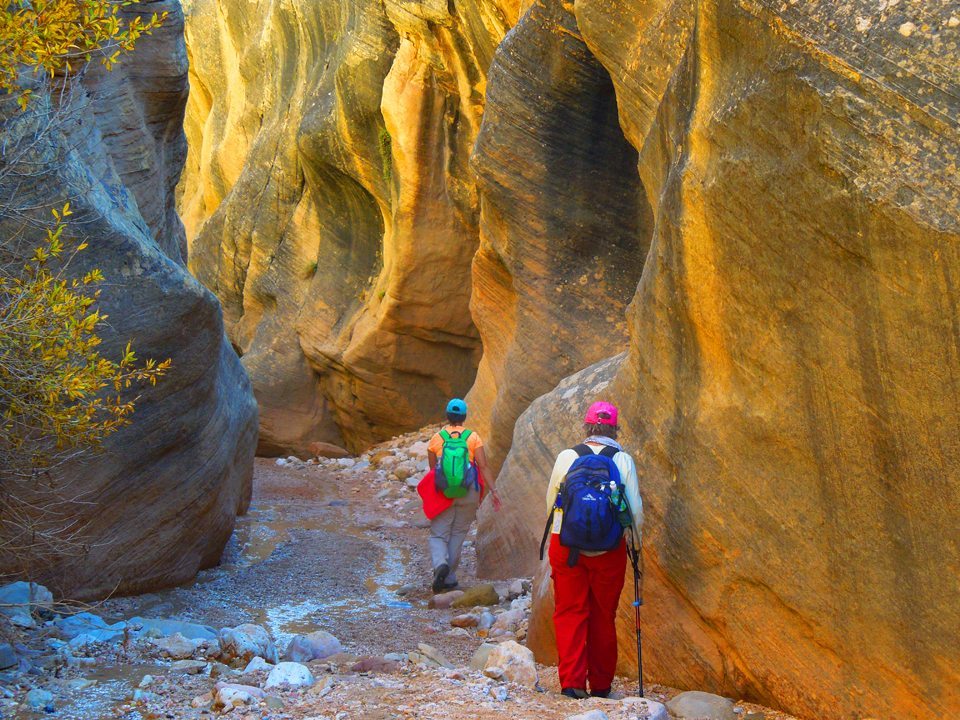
x=331 y=208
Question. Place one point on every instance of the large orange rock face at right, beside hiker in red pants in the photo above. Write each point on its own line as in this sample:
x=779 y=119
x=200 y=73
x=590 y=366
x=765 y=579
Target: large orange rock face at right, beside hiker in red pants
x=790 y=385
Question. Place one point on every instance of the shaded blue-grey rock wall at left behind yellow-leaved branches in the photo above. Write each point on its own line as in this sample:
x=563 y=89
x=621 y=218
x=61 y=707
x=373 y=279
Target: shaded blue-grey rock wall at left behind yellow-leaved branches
x=160 y=501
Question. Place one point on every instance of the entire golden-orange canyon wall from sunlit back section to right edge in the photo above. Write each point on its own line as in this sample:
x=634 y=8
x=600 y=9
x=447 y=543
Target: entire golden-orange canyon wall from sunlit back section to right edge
x=744 y=212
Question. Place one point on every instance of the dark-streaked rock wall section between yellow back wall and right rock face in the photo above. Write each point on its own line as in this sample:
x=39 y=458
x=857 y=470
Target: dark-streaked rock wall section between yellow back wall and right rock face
x=565 y=223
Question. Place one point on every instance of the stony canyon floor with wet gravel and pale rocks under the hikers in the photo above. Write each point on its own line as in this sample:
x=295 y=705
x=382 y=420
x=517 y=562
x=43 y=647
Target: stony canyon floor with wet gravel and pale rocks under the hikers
x=320 y=610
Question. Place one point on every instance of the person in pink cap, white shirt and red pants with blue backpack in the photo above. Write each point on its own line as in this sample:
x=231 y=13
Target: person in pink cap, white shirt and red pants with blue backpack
x=594 y=499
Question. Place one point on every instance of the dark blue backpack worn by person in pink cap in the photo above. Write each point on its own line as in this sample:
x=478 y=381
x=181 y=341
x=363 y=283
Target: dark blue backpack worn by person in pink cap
x=593 y=504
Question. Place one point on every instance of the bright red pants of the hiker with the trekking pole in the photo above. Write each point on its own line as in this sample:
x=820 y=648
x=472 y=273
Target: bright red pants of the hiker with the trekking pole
x=586 y=597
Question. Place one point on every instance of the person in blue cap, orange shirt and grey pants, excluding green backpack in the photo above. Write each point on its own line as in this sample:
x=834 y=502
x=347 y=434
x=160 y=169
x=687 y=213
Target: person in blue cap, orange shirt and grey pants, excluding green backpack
x=449 y=529
